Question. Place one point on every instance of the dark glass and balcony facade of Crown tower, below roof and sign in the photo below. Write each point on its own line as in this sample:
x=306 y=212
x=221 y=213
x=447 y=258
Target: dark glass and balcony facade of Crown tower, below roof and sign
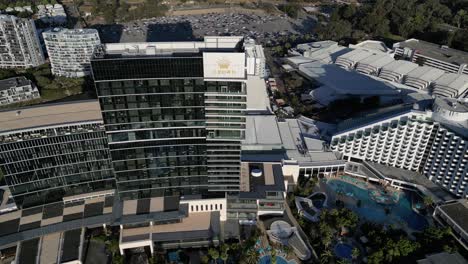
x=170 y=132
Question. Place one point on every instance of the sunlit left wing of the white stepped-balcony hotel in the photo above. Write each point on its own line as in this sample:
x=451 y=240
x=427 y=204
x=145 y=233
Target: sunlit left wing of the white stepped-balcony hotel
x=397 y=139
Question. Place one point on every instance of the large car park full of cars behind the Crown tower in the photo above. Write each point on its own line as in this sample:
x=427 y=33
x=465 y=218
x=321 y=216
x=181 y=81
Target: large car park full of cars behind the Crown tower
x=266 y=29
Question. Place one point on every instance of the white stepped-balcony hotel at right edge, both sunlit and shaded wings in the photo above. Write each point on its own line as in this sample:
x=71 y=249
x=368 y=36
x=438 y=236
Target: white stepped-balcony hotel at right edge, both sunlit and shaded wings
x=430 y=142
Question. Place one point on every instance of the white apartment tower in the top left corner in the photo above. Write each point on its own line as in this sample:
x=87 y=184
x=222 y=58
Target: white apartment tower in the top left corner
x=19 y=43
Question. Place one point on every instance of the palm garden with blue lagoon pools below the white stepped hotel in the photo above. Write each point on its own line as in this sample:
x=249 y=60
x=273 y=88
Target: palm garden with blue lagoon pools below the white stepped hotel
x=355 y=226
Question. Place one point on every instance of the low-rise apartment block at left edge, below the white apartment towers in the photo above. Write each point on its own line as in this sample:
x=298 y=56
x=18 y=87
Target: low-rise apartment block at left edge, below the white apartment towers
x=17 y=89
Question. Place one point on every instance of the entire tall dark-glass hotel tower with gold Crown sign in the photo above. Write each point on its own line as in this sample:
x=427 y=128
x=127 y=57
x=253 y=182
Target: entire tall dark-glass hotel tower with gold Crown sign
x=174 y=113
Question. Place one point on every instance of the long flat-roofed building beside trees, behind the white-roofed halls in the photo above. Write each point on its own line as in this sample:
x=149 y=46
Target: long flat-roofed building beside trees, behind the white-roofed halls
x=433 y=55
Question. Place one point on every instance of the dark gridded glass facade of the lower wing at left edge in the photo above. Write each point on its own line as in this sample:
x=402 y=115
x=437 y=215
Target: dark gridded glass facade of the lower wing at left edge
x=43 y=166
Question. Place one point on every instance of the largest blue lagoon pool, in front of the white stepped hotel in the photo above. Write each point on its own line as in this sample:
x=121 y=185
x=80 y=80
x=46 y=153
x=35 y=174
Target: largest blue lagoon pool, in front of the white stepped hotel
x=401 y=211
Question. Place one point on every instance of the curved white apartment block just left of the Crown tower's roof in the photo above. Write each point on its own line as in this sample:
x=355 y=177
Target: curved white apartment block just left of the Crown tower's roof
x=70 y=50
